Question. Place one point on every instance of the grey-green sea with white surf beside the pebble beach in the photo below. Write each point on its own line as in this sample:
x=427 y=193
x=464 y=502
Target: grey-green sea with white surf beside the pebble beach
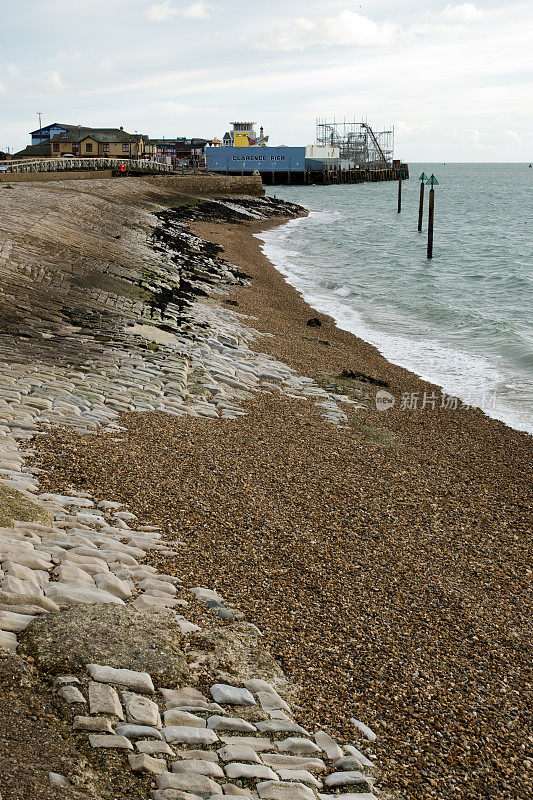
x=461 y=320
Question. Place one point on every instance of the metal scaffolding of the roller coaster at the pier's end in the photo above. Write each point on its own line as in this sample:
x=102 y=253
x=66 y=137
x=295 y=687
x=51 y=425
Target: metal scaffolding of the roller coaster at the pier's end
x=358 y=143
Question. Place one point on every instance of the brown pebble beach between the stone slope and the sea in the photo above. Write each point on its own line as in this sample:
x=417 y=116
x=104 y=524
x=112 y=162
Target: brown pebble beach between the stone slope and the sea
x=386 y=563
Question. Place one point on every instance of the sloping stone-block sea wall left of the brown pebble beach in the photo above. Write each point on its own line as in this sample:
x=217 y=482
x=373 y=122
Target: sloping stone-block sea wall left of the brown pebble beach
x=109 y=304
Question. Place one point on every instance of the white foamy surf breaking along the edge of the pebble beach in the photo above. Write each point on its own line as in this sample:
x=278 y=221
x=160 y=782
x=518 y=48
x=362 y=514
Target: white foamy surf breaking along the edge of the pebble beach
x=476 y=379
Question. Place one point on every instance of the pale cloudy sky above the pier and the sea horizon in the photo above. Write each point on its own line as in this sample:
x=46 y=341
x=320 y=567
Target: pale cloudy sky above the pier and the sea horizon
x=454 y=78
